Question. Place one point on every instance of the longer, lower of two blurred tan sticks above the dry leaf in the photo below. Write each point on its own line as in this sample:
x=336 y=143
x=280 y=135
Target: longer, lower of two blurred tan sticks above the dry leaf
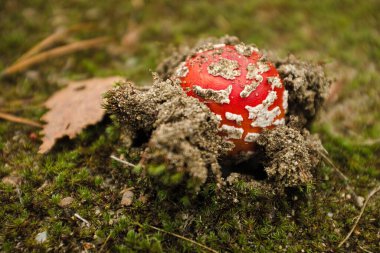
x=53 y=53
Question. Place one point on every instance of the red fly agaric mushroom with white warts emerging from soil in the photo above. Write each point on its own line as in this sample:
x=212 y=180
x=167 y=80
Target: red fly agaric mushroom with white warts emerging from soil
x=240 y=86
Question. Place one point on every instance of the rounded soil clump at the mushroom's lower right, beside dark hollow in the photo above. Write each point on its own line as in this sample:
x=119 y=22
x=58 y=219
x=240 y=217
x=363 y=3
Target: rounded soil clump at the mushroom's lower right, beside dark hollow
x=291 y=154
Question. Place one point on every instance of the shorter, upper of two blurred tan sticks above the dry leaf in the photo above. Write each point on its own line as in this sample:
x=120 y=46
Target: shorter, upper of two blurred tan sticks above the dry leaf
x=50 y=40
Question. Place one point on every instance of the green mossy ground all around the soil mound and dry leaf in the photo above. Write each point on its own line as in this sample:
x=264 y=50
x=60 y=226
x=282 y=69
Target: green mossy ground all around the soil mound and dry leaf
x=342 y=34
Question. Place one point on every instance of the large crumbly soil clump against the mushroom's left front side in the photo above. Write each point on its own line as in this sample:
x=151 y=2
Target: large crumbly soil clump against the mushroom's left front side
x=183 y=132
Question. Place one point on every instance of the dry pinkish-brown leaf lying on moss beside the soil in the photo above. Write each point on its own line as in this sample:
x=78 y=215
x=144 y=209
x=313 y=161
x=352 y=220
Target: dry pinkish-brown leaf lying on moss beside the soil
x=74 y=108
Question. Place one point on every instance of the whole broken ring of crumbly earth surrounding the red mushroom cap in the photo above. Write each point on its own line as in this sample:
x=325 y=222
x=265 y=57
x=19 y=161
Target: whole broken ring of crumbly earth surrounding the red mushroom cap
x=167 y=128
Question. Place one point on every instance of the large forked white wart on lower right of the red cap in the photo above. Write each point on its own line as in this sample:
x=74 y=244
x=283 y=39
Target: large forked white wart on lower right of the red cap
x=261 y=115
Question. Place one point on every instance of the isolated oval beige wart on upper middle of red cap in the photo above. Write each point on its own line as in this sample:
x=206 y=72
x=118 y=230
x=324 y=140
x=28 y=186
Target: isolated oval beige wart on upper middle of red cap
x=228 y=69
